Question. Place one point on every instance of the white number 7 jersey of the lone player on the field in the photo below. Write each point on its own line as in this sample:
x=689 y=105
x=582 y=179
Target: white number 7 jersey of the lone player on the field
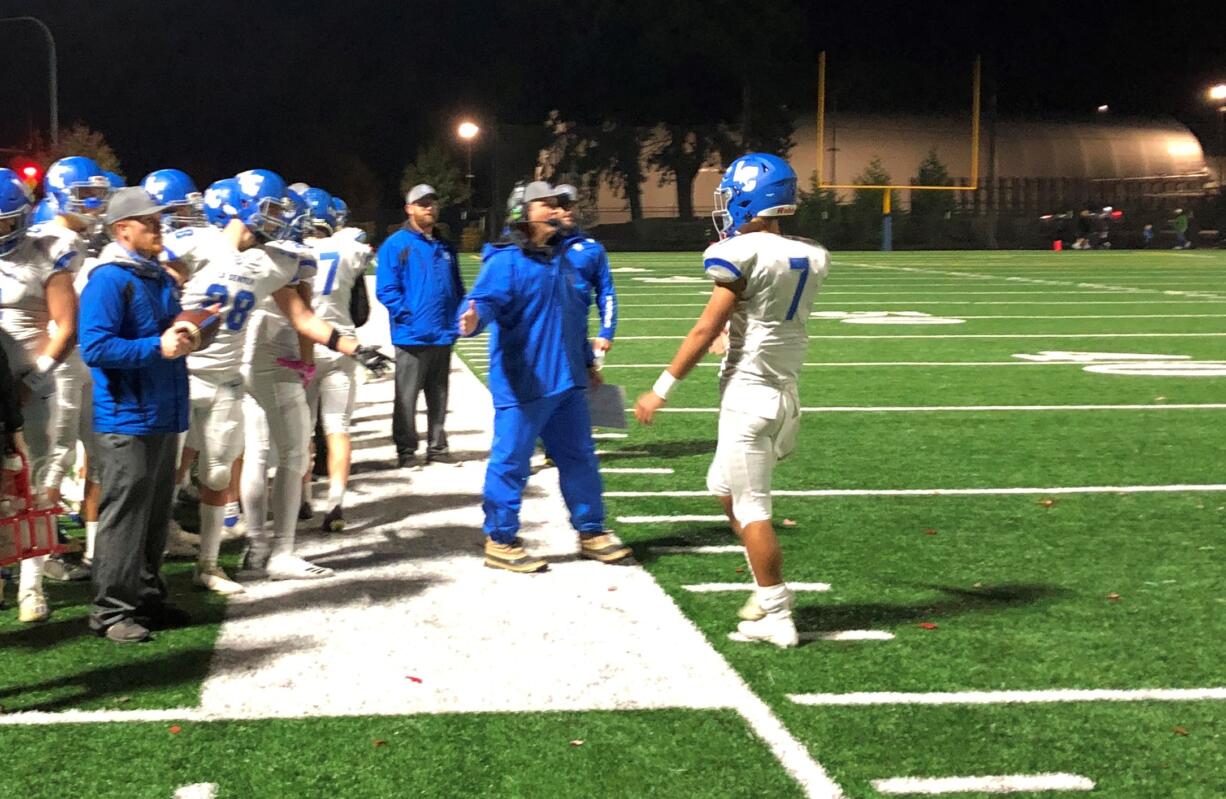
x=767 y=336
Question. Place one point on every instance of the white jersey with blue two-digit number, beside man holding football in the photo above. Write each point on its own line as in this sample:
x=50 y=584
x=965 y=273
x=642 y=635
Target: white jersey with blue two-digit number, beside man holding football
x=242 y=284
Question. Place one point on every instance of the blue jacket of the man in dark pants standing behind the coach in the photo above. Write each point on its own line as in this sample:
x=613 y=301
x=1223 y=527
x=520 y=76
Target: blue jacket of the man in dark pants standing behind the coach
x=417 y=279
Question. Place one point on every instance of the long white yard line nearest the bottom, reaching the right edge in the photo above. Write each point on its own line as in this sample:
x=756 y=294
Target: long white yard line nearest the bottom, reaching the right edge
x=1013 y=698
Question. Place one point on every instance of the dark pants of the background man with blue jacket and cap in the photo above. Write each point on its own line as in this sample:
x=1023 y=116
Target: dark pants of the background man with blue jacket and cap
x=421 y=369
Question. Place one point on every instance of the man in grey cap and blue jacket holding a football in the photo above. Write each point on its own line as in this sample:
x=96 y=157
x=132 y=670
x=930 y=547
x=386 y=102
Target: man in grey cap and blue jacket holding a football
x=140 y=407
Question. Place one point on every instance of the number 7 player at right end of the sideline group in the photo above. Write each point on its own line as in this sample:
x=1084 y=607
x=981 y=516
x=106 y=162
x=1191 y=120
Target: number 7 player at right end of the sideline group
x=343 y=262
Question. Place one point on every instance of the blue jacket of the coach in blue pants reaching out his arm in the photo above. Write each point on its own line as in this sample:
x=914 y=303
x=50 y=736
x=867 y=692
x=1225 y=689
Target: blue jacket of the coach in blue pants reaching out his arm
x=535 y=303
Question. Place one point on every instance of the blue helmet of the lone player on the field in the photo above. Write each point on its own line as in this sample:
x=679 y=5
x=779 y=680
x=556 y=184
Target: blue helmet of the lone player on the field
x=755 y=186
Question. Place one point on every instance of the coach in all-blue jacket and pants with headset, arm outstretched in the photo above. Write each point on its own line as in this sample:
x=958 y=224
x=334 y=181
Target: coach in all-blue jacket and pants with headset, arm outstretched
x=540 y=366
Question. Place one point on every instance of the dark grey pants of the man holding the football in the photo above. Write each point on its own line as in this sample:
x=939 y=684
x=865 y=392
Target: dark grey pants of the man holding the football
x=138 y=481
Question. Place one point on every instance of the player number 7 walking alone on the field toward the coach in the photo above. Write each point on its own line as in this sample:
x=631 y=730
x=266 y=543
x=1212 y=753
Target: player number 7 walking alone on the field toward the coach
x=764 y=286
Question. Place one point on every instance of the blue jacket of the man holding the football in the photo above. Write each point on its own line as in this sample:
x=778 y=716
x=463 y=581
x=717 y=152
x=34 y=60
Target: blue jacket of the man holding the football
x=126 y=306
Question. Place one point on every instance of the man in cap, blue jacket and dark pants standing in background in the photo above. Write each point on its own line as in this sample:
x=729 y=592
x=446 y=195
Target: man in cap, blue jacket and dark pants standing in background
x=417 y=279
